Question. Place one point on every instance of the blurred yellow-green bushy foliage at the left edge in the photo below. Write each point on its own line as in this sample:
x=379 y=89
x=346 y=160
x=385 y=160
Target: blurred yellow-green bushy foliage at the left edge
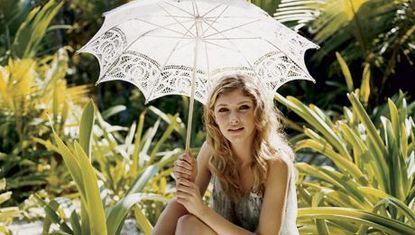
x=31 y=91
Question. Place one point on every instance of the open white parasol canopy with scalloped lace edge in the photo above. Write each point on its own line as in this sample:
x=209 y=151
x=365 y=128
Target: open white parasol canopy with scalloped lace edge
x=166 y=47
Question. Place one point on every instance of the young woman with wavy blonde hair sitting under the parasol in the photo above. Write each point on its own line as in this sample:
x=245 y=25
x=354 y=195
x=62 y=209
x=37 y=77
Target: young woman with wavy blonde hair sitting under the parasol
x=249 y=163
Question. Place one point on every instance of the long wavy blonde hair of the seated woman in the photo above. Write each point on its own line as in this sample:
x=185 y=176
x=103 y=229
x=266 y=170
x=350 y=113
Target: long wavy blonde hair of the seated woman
x=268 y=142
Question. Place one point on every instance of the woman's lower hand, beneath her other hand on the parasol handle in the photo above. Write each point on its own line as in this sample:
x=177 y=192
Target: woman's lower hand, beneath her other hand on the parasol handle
x=188 y=194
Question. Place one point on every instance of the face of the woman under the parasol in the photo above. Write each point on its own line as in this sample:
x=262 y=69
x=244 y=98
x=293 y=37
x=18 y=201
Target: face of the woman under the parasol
x=234 y=114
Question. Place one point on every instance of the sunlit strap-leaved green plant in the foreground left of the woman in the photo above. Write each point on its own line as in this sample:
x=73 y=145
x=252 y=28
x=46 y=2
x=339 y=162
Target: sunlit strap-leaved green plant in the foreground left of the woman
x=122 y=177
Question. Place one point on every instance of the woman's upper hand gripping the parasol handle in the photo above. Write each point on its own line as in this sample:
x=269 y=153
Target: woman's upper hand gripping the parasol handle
x=185 y=167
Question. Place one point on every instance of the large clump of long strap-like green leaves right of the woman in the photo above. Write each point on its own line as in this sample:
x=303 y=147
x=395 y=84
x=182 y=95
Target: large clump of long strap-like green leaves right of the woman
x=369 y=184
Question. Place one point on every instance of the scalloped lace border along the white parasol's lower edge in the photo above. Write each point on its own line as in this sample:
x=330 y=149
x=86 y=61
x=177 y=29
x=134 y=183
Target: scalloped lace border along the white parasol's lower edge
x=273 y=69
